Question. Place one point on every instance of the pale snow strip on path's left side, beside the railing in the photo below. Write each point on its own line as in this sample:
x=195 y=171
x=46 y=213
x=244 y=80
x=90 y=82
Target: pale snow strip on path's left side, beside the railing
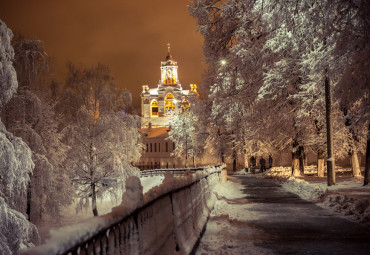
x=227 y=231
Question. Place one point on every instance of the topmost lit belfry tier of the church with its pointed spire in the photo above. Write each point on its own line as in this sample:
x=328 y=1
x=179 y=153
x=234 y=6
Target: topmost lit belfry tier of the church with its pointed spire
x=169 y=70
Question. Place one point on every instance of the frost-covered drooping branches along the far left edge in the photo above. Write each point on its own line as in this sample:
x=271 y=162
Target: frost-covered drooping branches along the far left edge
x=16 y=232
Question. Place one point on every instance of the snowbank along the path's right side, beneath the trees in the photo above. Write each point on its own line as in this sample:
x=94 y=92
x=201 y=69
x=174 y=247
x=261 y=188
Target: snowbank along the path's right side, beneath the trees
x=348 y=197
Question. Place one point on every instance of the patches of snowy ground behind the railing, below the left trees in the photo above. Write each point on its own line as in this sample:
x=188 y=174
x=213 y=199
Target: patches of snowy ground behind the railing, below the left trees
x=105 y=205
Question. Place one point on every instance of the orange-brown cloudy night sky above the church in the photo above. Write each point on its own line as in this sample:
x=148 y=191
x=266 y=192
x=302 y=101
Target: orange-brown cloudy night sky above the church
x=128 y=36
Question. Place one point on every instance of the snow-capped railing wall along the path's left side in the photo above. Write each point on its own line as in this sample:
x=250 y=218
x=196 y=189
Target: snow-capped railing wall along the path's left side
x=168 y=220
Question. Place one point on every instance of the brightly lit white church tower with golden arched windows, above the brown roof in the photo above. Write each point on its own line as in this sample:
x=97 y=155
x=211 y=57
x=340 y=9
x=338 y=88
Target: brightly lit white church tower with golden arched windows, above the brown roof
x=168 y=99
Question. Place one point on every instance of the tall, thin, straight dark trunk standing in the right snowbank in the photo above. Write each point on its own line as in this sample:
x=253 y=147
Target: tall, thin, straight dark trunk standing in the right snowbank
x=330 y=160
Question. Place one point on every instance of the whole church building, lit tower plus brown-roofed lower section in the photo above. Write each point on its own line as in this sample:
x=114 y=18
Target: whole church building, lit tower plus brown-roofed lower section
x=157 y=106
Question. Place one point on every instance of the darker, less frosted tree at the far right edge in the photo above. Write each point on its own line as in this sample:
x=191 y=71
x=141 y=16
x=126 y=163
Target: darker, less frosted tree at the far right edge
x=352 y=91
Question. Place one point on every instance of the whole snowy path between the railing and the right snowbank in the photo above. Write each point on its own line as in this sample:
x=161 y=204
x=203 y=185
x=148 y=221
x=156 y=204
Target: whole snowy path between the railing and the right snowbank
x=256 y=216
